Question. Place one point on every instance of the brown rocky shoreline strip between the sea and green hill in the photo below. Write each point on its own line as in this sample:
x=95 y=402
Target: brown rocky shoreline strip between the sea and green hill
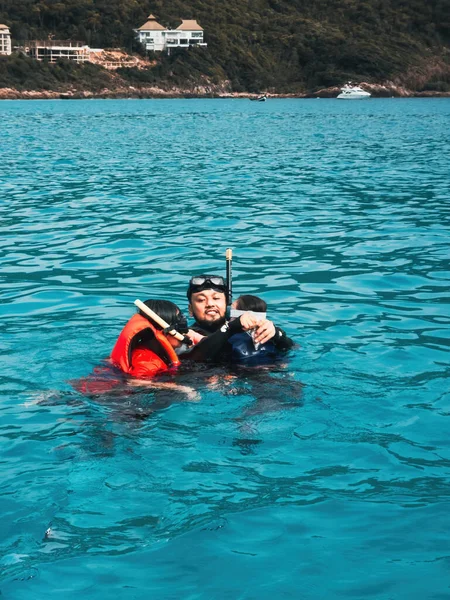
x=386 y=90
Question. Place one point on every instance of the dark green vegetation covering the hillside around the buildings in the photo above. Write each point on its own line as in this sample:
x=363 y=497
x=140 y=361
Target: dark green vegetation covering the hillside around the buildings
x=283 y=45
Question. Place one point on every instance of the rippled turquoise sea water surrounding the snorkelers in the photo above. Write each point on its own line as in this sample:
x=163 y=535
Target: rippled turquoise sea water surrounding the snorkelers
x=329 y=478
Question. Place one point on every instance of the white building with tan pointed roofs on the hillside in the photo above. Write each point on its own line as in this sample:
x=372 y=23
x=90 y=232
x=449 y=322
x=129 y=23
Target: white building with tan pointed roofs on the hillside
x=156 y=37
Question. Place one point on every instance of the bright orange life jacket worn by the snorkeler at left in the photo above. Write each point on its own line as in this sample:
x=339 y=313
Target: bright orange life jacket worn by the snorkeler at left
x=137 y=360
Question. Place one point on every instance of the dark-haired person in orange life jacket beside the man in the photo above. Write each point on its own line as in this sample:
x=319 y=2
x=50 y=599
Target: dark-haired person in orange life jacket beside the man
x=143 y=349
